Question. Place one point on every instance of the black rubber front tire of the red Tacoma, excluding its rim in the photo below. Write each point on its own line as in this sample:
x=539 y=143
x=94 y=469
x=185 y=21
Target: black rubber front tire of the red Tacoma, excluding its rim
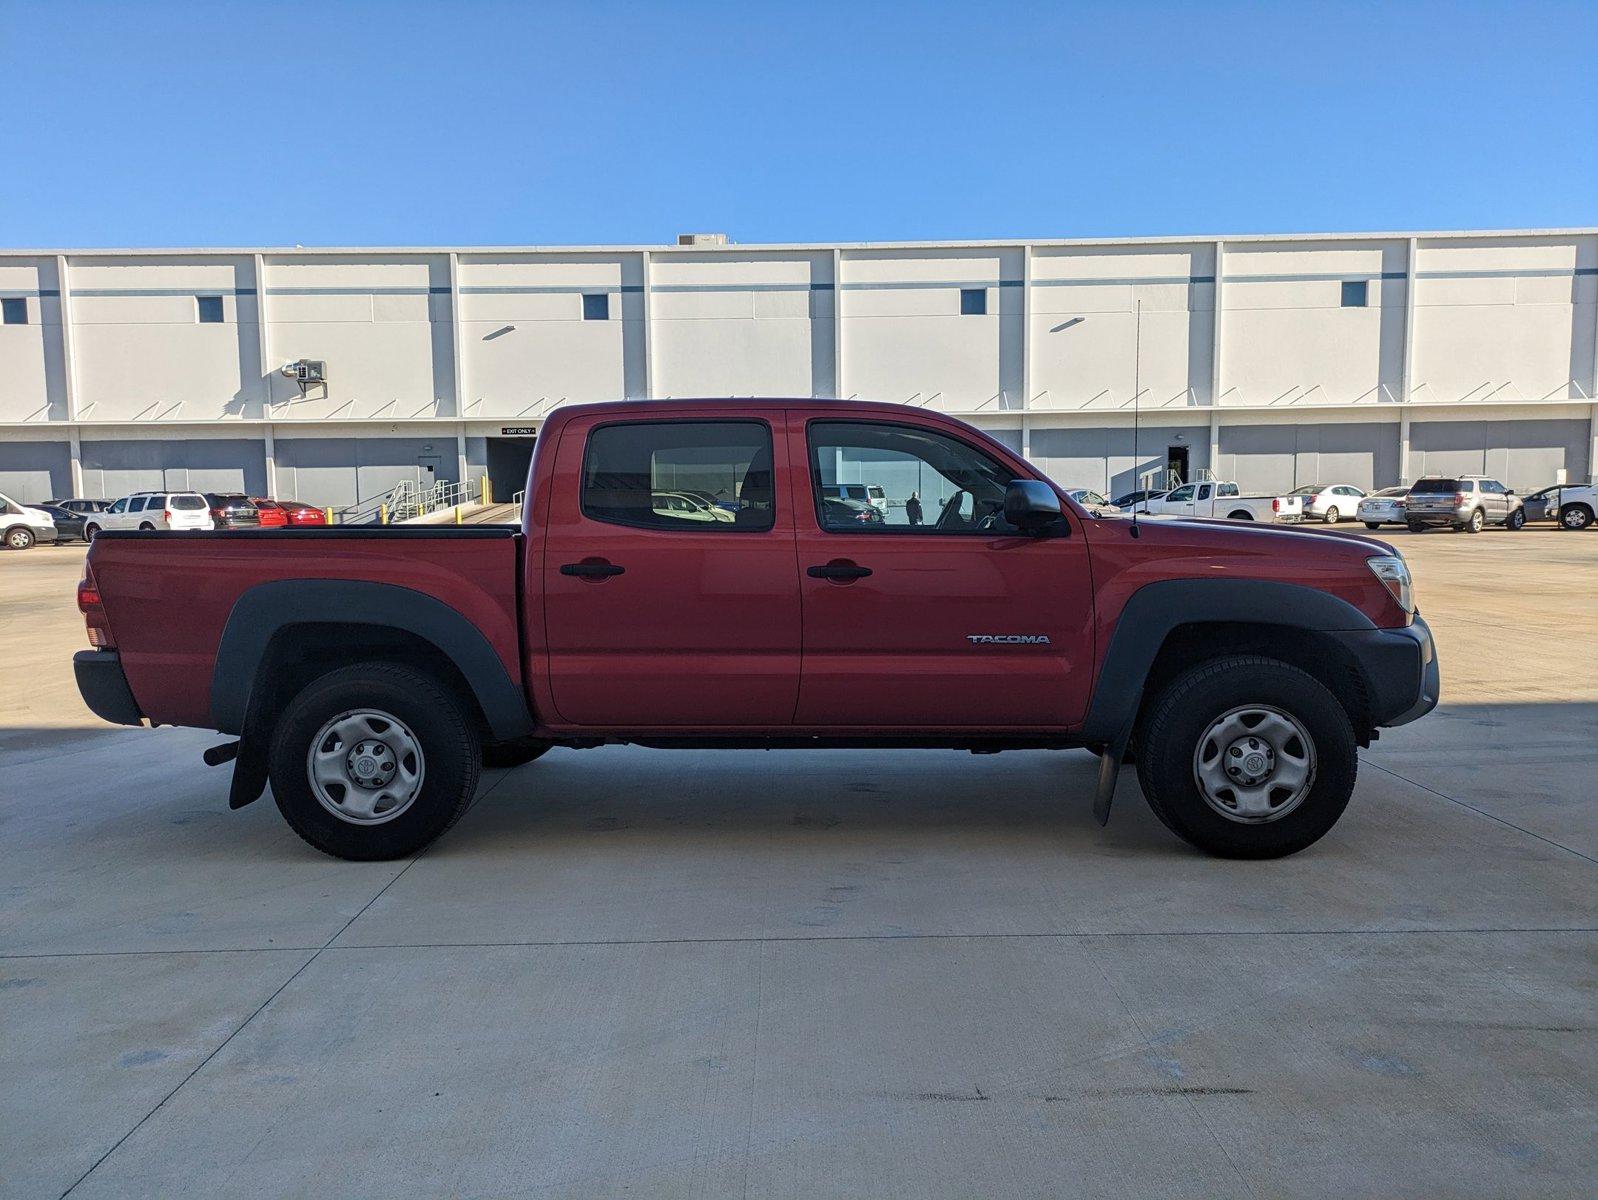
x=1182 y=715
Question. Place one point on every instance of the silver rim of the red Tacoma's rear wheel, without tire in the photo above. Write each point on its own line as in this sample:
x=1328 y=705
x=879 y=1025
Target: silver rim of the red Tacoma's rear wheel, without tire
x=365 y=766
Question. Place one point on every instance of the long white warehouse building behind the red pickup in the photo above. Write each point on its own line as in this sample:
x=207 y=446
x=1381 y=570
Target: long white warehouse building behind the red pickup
x=1367 y=359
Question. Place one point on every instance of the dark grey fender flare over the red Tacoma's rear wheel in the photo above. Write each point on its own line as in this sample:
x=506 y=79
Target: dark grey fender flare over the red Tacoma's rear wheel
x=268 y=610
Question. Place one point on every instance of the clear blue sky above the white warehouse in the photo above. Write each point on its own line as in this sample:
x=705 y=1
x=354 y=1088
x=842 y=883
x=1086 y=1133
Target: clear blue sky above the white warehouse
x=360 y=124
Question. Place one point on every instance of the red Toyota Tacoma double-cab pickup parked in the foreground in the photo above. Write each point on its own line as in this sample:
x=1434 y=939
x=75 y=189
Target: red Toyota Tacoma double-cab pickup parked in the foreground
x=704 y=574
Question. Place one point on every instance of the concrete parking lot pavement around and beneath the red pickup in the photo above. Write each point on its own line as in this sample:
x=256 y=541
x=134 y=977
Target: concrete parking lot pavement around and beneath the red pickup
x=817 y=974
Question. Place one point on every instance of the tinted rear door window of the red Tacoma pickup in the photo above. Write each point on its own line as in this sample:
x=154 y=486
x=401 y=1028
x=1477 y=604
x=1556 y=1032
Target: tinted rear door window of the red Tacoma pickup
x=704 y=477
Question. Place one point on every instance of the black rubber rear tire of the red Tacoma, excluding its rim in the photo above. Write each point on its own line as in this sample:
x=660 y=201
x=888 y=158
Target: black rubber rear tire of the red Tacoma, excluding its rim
x=451 y=750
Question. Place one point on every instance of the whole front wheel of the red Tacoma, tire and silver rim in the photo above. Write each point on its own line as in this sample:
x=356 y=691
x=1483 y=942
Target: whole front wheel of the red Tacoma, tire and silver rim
x=1247 y=758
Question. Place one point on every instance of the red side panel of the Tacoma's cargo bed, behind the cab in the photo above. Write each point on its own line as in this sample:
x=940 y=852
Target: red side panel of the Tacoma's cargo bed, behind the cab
x=170 y=595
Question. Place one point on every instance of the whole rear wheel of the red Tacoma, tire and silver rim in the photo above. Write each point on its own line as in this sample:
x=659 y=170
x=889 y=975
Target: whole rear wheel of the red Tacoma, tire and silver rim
x=375 y=761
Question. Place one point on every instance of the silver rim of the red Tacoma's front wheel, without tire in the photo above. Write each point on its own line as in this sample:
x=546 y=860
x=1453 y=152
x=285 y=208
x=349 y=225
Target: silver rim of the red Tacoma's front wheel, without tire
x=1255 y=765
